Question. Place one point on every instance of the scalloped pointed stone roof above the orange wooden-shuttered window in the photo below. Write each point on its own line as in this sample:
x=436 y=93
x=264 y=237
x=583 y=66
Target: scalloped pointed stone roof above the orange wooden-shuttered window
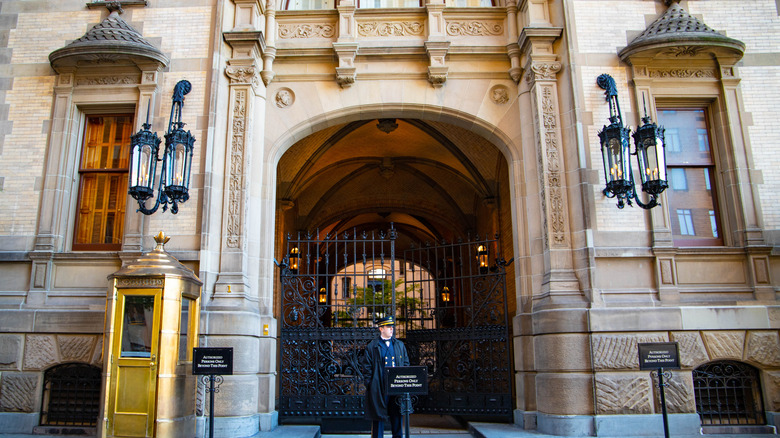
x=111 y=38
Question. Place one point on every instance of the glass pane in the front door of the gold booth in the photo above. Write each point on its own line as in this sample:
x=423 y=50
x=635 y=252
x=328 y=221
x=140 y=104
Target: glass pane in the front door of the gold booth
x=137 y=326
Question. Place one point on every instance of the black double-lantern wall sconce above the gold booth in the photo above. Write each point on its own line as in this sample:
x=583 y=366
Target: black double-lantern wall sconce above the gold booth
x=174 y=184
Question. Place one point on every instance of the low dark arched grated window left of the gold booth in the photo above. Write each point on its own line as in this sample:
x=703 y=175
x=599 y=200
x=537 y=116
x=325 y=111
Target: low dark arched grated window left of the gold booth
x=71 y=395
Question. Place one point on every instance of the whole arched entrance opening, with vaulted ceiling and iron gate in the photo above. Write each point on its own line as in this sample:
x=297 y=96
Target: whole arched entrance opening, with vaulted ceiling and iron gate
x=394 y=215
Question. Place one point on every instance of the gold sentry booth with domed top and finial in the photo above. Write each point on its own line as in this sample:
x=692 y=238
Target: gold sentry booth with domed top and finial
x=152 y=318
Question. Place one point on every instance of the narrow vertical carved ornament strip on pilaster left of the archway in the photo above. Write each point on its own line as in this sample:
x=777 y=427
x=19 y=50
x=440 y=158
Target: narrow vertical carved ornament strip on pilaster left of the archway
x=236 y=174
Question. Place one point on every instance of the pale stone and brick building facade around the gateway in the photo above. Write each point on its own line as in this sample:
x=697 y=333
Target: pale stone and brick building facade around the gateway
x=445 y=118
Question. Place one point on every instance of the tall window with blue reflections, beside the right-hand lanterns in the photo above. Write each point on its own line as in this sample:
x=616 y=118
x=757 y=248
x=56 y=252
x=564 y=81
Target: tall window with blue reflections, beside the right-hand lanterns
x=691 y=196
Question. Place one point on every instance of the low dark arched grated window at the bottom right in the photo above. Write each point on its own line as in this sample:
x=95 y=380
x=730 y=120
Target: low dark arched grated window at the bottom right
x=728 y=393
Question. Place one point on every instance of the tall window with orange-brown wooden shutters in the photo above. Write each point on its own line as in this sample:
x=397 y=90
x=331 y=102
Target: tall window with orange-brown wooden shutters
x=103 y=182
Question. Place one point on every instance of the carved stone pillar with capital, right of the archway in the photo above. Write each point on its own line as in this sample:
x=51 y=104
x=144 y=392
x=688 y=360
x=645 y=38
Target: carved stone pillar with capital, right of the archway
x=560 y=287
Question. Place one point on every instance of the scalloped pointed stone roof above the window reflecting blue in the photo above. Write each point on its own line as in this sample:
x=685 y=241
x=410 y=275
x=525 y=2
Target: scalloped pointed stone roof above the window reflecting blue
x=676 y=28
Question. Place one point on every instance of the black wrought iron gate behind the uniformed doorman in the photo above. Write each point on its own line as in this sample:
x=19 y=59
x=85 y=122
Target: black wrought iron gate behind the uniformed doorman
x=450 y=304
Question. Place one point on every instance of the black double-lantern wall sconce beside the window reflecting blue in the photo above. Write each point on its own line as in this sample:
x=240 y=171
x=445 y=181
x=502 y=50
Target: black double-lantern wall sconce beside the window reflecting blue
x=616 y=151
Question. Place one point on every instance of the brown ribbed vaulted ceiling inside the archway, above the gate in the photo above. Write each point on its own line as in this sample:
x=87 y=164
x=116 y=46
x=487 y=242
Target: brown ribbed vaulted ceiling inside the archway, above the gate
x=429 y=178
